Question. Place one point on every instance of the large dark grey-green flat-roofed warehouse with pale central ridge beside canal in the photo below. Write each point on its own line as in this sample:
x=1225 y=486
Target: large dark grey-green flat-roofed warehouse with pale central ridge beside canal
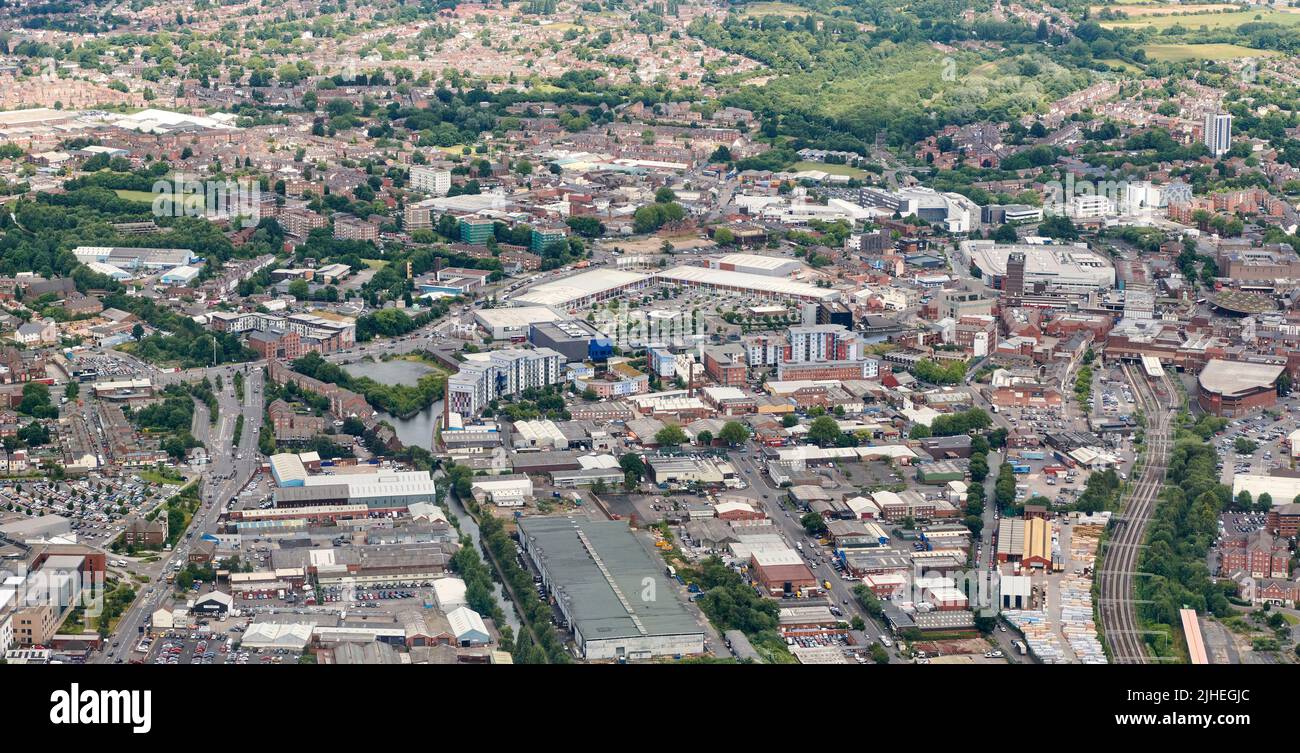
x=616 y=596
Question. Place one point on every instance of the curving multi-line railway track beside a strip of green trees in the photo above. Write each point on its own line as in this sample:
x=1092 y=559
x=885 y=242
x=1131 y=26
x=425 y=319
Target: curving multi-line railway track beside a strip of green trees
x=1119 y=613
